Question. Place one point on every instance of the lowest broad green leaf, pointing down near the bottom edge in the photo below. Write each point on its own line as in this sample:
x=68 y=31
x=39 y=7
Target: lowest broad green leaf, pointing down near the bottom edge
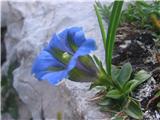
x=134 y=110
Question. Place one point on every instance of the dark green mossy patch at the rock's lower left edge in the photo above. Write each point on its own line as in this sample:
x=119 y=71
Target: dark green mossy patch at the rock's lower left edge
x=10 y=103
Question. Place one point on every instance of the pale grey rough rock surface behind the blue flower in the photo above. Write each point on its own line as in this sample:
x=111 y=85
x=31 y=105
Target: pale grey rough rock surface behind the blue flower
x=30 y=25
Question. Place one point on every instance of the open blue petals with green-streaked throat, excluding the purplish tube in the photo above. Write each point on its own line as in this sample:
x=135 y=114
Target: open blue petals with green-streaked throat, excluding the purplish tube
x=61 y=55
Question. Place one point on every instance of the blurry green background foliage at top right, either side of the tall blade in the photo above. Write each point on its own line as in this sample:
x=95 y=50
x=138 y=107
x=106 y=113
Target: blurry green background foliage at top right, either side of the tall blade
x=137 y=12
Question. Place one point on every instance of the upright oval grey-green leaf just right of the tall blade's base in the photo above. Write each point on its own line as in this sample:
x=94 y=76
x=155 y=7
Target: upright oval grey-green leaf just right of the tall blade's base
x=125 y=73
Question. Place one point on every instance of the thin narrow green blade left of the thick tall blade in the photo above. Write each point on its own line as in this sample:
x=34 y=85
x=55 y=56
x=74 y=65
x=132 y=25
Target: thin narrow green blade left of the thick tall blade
x=103 y=31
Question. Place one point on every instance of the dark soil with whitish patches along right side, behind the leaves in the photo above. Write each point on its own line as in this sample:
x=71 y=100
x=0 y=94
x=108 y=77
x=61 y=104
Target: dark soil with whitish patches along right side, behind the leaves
x=138 y=48
